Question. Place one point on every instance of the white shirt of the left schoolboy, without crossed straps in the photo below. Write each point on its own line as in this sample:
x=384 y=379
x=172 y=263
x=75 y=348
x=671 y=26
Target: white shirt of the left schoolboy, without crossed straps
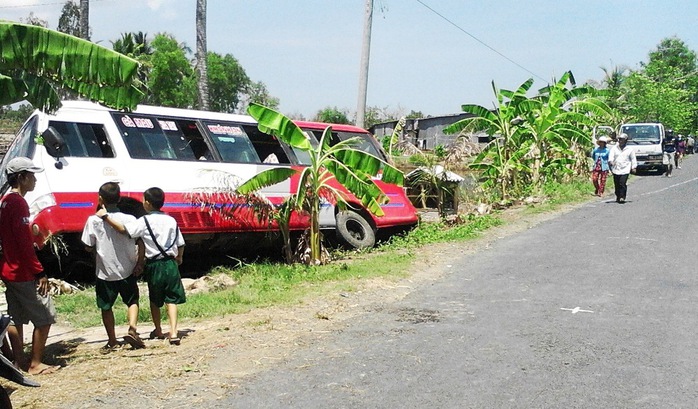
x=116 y=253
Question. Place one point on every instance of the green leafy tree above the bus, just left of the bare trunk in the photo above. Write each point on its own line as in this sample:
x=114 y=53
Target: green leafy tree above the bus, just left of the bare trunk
x=172 y=81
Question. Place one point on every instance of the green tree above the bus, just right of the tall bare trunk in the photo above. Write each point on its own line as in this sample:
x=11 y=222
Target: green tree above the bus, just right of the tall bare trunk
x=227 y=81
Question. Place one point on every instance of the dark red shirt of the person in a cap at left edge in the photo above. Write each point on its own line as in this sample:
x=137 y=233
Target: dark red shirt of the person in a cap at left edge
x=19 y=260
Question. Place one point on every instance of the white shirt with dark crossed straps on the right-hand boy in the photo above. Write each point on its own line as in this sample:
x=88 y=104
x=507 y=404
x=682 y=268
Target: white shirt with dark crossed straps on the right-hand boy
x=164 y=229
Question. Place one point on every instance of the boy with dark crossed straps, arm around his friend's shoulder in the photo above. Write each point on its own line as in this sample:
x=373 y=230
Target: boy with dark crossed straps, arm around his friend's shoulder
x=164 y=248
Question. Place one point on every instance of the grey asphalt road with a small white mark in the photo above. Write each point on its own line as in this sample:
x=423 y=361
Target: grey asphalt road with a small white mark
x=594 y=309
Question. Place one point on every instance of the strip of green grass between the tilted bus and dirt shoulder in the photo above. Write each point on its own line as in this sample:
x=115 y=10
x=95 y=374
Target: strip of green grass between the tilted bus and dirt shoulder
x=265 y=284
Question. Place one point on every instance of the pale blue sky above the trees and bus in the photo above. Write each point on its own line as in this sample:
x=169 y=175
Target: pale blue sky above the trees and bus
x=430 y=56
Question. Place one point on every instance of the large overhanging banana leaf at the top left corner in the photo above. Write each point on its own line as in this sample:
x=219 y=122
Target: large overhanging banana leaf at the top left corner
x=35 y=60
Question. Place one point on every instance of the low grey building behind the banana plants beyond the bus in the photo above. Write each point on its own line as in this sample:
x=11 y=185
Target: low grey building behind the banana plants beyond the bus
x=426 y=133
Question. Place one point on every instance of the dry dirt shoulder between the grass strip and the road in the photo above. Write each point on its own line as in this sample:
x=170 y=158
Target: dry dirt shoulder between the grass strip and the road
x=217 y=353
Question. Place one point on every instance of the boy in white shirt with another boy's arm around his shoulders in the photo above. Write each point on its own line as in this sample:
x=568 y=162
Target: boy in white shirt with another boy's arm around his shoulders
x=117 y=265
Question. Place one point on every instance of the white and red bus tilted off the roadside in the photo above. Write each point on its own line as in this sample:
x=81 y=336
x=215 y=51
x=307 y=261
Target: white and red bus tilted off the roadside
x=174 y=149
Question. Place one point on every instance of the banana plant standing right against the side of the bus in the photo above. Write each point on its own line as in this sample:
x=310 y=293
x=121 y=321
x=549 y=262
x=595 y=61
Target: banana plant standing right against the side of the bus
x=352 y=168
